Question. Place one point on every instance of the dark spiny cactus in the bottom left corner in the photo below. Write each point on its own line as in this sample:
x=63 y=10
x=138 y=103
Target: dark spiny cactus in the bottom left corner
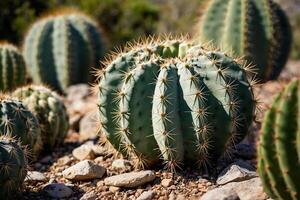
x=13 y=167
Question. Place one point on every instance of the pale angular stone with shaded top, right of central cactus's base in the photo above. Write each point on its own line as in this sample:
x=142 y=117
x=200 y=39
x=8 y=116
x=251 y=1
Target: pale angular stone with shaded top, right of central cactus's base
x=237 y=171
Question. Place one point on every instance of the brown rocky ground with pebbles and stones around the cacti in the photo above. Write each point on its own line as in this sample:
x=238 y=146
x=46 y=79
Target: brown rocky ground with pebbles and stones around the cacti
x=83 y=169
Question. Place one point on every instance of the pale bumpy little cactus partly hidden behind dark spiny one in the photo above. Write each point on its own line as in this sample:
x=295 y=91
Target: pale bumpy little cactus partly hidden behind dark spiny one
x=50 y=111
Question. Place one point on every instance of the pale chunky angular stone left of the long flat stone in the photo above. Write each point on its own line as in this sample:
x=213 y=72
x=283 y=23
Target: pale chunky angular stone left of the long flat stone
x=84 y=170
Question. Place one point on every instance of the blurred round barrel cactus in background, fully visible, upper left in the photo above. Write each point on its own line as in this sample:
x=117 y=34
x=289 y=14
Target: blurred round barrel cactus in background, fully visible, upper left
x=61 y=49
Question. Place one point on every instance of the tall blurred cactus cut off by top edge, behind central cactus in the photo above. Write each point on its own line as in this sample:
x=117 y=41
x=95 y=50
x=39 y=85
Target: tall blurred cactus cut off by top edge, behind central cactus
x=255 y=29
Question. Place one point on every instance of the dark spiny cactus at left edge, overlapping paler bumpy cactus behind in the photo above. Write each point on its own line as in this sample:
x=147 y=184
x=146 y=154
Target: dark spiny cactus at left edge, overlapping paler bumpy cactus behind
x=17 y=121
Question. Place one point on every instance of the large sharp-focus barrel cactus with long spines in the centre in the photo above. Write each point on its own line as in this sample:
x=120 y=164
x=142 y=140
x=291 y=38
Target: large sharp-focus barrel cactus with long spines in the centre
x=174 y=101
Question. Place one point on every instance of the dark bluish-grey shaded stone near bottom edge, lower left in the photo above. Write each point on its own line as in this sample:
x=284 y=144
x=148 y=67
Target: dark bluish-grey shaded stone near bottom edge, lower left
x=57 y=190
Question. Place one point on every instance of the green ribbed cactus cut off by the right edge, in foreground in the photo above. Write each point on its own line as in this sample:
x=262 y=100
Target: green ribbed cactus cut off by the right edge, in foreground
x=279 y=145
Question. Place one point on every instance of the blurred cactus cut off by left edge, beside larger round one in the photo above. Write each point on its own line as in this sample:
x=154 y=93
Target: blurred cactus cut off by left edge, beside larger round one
x=12 y=67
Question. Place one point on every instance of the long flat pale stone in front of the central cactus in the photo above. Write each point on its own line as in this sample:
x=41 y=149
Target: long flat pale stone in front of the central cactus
x=130 y=180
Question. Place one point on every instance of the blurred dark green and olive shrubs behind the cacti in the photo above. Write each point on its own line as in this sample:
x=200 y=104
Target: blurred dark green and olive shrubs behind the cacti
x=124 y=20
